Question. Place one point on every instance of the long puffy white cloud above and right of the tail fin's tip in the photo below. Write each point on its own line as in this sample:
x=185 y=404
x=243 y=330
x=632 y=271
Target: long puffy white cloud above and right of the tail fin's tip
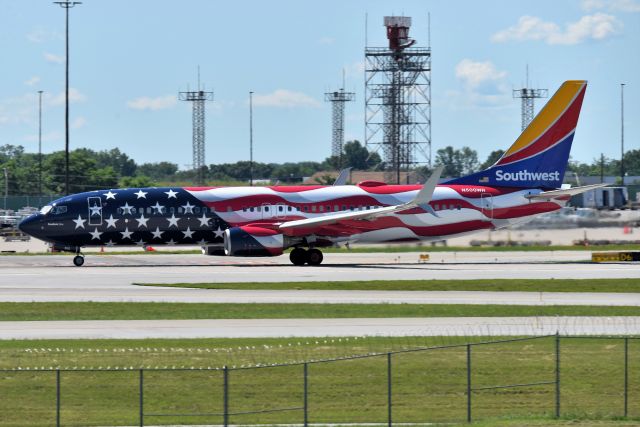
x=598 y=26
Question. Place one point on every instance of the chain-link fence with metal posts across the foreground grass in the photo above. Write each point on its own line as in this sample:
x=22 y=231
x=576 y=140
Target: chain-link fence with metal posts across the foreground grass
x=534 y=376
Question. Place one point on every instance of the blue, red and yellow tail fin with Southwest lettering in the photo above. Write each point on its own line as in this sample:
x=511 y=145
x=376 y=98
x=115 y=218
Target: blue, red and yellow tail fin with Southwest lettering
x=539 y=157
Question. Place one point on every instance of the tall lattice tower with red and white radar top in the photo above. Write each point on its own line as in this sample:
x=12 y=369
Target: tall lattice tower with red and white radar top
x=398 y=100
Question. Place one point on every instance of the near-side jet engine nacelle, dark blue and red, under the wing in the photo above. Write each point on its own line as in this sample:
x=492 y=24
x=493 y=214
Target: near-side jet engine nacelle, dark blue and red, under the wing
x=253 y=241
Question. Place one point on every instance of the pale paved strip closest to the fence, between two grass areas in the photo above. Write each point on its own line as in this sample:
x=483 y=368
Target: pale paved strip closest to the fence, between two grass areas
x=267 y=328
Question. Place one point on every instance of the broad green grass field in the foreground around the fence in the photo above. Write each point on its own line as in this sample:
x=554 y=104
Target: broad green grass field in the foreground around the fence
x=427 y=386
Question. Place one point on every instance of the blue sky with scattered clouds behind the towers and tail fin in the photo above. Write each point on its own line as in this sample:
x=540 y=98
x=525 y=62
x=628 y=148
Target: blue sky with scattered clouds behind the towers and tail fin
x=130 y=58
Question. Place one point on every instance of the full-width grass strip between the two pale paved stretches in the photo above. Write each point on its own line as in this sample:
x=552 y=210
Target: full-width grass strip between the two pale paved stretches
x=149 y=311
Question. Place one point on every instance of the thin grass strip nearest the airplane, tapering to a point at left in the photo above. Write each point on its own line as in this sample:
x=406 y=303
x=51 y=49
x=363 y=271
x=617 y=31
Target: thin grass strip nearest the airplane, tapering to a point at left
x=500 y=285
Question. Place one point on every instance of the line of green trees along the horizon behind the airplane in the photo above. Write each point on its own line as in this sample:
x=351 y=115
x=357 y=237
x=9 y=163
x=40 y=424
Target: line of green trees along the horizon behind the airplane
x=90 y=170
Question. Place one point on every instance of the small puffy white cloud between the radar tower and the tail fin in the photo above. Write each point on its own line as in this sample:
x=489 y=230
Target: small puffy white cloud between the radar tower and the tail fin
x=483 y=83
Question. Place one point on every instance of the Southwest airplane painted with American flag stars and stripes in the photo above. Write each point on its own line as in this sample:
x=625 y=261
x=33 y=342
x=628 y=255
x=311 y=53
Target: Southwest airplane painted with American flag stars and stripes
x=265 y=221
